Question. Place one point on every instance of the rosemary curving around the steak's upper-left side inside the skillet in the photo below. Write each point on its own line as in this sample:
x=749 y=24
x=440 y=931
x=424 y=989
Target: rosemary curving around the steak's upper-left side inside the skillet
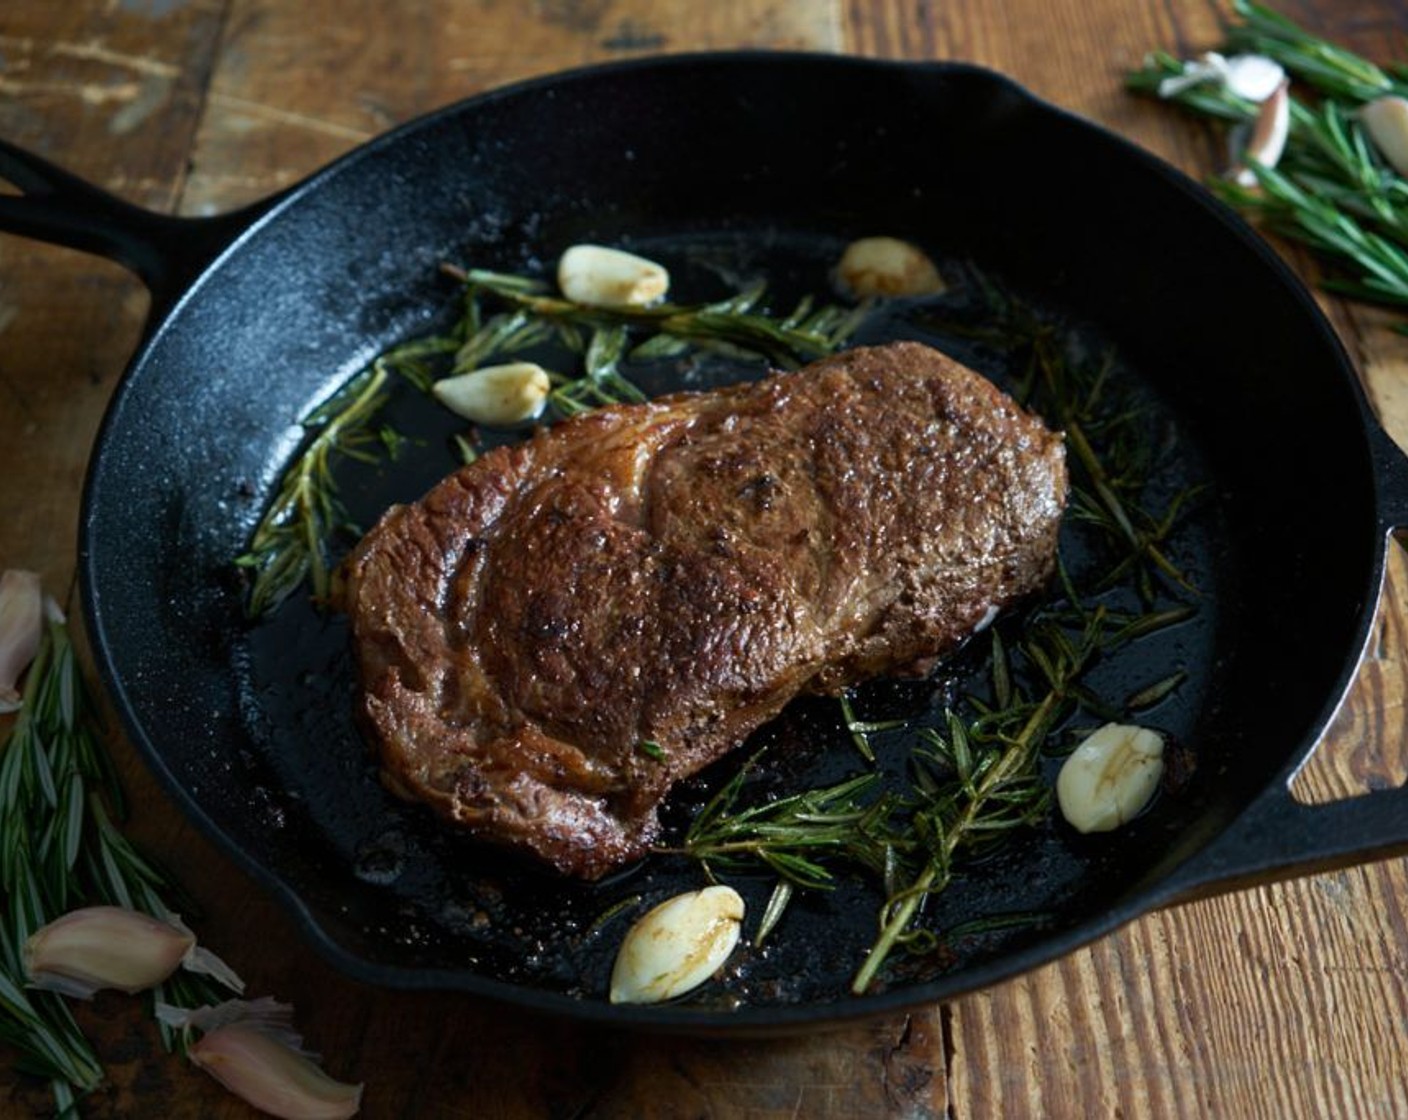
x=506 y=315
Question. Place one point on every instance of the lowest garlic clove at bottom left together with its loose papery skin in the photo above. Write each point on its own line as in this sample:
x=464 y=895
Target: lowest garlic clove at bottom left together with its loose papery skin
x=253 y=1050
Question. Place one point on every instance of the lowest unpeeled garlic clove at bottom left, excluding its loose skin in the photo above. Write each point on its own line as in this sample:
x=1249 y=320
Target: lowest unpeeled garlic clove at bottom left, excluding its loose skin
x=272 y=1076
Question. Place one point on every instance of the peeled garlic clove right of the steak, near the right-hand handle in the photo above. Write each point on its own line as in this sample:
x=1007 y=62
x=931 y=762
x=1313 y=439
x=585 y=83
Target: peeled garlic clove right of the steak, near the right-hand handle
x=1110 y=778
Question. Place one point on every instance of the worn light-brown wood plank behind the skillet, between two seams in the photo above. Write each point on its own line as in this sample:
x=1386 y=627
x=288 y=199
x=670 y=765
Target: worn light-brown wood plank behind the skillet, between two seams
x=275 y=116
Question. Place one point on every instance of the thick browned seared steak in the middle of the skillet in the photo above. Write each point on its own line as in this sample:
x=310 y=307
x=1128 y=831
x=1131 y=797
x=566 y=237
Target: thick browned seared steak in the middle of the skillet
x=674 y=574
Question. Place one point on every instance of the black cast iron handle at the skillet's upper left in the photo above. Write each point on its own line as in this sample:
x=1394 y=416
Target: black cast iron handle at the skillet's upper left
x=165 y=253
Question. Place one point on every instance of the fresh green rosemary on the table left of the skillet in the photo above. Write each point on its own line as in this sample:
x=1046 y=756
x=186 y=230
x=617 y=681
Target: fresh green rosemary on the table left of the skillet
x=61 y=849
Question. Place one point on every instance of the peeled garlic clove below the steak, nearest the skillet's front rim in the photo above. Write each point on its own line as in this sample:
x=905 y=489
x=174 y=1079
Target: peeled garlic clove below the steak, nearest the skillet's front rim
x=678 y=946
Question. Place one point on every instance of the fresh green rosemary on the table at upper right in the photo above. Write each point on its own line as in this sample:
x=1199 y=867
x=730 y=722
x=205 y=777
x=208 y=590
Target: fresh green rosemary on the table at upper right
x=1331 y=191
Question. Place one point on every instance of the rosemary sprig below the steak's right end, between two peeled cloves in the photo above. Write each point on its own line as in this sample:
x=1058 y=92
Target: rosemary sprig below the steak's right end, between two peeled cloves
x=972 y=787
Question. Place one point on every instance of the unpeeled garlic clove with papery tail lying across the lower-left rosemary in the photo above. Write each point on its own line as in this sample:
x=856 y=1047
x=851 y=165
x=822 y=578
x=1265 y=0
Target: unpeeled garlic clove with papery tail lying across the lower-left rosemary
x=99 y=947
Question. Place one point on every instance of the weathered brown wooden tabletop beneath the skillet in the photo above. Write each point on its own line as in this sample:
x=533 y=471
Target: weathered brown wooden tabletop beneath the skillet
x=1283 y=1001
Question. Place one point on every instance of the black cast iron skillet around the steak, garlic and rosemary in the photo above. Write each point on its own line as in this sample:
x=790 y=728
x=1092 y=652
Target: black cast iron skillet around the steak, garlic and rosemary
x=764 y=161
